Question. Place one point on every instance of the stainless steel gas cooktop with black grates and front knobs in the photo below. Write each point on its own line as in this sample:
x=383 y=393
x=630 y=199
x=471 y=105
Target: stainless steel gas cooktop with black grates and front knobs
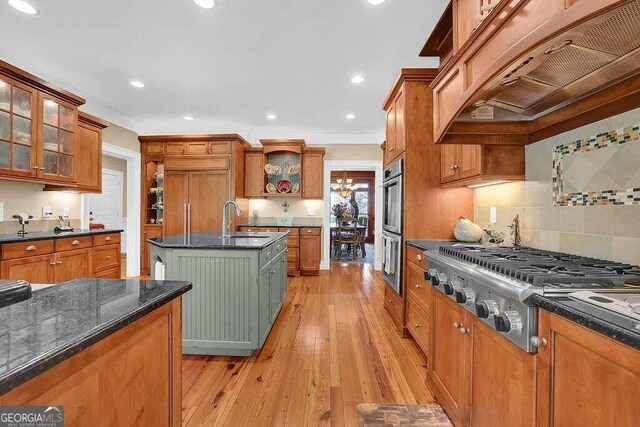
x=495 y=283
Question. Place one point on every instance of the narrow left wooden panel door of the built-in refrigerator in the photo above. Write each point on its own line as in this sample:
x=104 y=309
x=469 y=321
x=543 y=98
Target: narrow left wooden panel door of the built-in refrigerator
x=176 y=196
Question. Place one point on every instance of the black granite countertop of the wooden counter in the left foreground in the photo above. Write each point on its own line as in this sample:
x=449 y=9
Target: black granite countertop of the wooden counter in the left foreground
x=59 y=321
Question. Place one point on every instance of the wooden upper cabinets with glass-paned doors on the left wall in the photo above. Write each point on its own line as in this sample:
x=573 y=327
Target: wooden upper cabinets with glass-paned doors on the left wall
x=43 y=137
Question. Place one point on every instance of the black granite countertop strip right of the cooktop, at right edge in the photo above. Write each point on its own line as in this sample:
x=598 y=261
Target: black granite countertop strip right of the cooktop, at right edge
x=619 y=328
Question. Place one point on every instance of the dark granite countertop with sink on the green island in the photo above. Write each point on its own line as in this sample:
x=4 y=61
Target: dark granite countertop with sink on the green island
x=214 y=241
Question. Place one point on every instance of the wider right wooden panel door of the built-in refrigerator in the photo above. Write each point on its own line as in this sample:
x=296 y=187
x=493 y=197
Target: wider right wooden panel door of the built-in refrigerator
x=208 y=192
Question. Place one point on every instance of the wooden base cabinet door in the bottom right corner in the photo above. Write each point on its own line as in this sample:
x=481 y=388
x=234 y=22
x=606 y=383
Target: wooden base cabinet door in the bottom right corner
x=584 y=378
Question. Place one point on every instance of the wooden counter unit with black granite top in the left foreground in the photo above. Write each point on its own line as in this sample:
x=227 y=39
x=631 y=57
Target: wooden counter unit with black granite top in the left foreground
x=108 y=351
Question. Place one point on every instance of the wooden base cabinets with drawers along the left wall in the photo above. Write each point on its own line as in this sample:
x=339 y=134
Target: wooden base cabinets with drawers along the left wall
x=58 y=260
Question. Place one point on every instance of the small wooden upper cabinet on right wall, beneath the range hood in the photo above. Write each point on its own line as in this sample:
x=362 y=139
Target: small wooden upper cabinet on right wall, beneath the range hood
x=481 y=164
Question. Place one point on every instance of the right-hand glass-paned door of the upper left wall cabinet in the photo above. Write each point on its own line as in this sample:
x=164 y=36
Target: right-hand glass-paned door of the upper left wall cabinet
x=57 y=140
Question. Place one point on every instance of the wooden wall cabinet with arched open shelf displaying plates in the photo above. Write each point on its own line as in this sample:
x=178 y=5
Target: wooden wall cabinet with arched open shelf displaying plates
x=284 y=168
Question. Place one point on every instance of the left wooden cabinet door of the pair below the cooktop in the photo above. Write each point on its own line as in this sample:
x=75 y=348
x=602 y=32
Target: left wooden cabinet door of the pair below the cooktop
x=449 y=360
